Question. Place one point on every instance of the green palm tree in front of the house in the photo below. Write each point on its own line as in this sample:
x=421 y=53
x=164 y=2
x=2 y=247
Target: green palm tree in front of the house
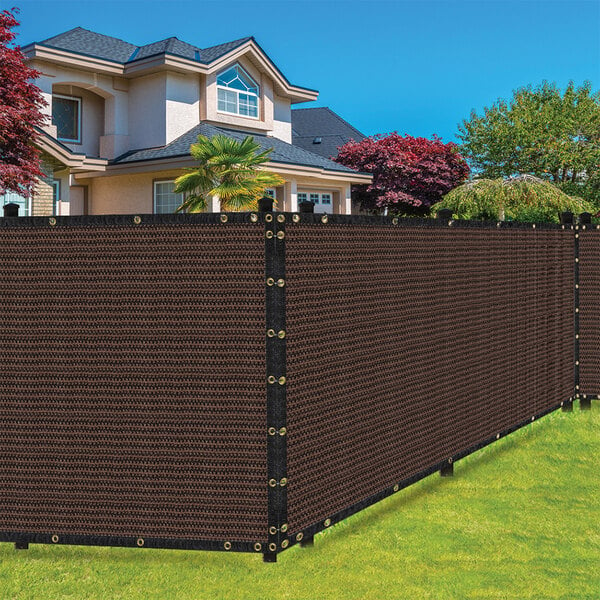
x=229 y=169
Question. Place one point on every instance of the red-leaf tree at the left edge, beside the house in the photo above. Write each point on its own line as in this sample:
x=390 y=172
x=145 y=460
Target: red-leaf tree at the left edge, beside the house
x=20 y=104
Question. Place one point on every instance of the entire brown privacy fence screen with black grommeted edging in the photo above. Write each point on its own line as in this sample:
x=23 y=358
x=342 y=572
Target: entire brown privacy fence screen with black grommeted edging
x=242 y=381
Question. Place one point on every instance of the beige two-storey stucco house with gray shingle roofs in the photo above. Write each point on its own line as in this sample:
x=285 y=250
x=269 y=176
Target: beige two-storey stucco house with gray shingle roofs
x=121 y=119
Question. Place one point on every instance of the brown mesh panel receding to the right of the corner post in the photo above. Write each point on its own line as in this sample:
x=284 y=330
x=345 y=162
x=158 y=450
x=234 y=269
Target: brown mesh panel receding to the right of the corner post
x=407 y=345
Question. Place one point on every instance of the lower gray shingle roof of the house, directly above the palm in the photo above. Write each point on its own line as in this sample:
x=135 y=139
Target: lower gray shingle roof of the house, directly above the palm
x=282 y=151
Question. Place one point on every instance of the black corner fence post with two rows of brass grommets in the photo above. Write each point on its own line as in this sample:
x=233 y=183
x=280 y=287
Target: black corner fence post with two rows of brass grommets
x=275 y=333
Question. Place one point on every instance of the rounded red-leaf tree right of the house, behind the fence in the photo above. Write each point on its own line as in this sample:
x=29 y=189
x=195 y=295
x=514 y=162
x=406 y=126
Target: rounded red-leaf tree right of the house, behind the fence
x=409 y=174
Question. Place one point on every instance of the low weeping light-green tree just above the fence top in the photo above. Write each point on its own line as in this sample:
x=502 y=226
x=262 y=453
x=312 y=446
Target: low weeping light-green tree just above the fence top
x=523 y=198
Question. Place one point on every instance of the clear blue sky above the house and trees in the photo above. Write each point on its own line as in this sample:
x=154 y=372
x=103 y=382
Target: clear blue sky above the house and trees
x=418 y=67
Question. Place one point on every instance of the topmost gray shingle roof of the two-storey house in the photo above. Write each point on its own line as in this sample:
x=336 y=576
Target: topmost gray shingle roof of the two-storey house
x=90 y=43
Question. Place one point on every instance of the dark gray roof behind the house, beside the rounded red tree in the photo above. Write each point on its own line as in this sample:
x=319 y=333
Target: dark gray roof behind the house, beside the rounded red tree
x=322 y=131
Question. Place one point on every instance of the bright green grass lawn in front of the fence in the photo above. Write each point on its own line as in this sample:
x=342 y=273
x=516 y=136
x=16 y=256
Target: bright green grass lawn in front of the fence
x=520 y=519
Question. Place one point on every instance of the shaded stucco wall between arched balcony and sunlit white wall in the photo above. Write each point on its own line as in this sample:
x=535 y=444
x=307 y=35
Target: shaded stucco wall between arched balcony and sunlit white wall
x=147 y=114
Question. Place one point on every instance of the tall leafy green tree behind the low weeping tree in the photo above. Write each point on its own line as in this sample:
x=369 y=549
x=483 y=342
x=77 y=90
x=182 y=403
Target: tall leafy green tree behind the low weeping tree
x=542 y=131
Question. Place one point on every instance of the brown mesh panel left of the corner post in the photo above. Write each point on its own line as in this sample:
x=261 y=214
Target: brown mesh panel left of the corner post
x=132 y=365
